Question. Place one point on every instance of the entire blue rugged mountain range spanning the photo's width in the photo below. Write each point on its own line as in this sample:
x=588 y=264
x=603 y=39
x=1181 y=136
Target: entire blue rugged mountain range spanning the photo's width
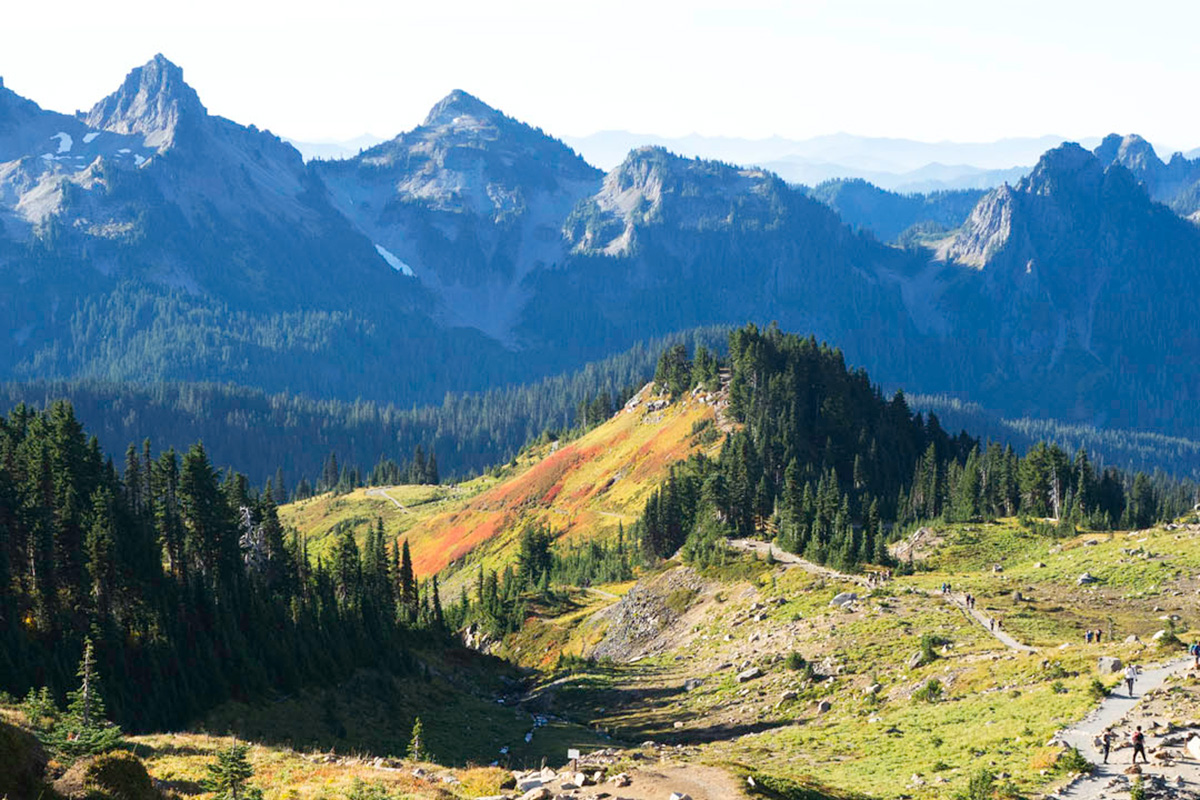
x=149 y=240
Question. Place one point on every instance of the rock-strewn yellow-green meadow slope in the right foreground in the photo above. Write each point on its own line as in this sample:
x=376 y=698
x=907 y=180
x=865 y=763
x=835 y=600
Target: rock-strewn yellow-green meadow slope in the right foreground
x=1000 y=707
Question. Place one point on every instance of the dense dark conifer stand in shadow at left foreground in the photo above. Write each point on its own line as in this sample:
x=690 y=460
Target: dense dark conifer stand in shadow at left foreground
x=183 y=578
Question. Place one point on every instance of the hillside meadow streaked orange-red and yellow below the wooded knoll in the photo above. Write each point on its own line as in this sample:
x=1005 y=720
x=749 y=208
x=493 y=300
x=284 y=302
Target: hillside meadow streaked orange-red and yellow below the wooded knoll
x=584 y=489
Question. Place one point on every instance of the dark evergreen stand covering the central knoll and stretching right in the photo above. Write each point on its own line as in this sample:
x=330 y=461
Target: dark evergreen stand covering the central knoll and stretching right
x=835 y=471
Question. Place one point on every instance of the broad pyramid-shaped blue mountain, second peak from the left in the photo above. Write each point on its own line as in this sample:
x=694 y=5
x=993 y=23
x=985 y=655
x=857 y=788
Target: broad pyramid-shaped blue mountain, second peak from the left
x=470 y=203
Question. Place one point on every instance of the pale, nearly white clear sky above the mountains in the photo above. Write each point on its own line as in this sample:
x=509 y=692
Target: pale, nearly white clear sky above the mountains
x=928 y=70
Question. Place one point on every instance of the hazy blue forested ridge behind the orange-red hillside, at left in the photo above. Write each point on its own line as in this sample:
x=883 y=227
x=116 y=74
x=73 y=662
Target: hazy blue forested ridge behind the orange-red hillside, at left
x=291 y=437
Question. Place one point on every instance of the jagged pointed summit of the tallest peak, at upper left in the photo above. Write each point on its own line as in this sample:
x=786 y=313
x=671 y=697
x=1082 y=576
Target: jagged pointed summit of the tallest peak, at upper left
x=154 y=100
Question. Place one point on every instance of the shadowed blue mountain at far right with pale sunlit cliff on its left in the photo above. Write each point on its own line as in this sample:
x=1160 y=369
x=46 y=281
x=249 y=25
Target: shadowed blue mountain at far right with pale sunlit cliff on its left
x=1078 y=292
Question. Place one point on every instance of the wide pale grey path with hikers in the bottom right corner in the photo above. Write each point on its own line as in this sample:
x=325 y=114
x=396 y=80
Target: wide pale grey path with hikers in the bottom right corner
x=1112 y=712
